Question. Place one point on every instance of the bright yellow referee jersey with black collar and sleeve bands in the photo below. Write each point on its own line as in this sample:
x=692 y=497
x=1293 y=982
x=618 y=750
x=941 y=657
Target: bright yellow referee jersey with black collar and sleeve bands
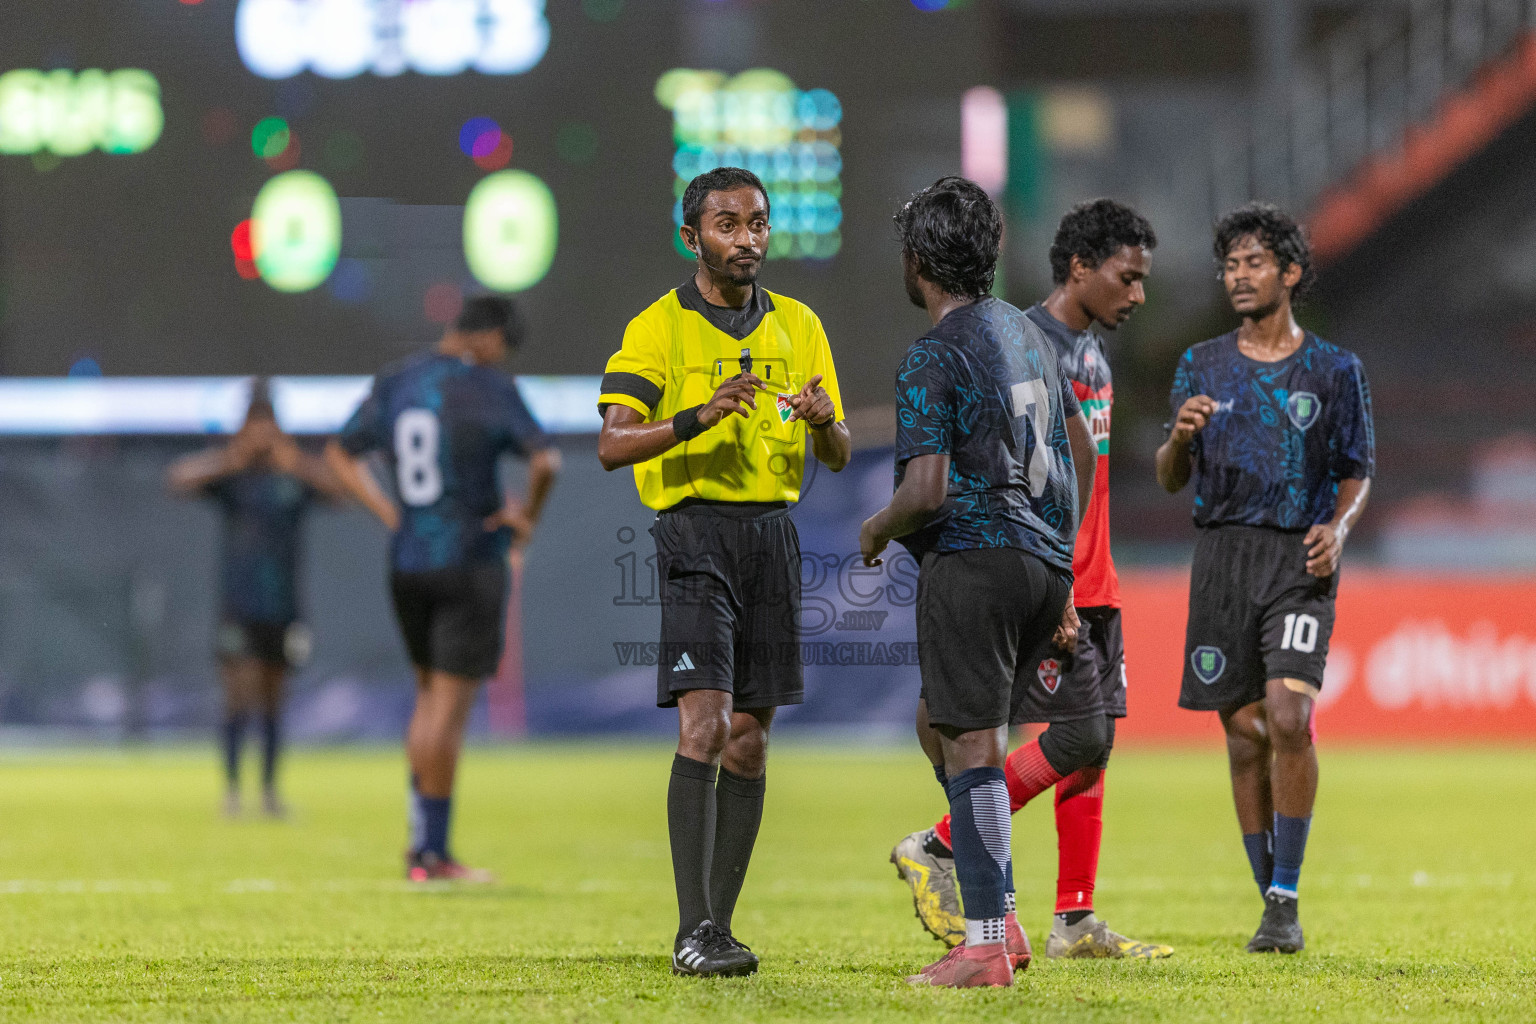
x=680 y=351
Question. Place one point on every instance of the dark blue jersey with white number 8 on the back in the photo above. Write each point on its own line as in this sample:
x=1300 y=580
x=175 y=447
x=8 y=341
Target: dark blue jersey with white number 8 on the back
x=443 y=428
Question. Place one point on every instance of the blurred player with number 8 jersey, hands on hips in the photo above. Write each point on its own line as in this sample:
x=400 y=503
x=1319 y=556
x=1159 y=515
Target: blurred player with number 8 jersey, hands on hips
x=443 y=421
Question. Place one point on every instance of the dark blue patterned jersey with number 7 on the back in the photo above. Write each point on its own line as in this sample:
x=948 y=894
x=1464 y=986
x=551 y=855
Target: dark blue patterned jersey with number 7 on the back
x=985 y=388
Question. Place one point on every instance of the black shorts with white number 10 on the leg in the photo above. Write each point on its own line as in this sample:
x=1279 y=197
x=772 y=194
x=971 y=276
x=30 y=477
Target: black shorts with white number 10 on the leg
x=1254 y=615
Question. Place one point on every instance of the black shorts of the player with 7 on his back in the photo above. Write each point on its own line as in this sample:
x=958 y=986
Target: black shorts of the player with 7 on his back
x=985 y=618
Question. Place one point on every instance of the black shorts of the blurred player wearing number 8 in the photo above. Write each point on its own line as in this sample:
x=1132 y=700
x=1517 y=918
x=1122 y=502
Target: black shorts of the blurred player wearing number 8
x=454 y=619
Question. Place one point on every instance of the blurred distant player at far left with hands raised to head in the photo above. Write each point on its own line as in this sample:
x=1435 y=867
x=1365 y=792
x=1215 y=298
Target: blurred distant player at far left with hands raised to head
x=263 y=484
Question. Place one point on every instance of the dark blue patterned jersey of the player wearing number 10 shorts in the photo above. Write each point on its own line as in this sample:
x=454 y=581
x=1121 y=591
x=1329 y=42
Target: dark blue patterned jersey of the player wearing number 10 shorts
x=1283 y=435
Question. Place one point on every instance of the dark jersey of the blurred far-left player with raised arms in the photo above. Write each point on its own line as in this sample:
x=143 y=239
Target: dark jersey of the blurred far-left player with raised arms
x=263 y=521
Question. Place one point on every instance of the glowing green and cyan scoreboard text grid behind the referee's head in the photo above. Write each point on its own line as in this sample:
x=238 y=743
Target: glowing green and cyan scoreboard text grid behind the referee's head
x=763 y=122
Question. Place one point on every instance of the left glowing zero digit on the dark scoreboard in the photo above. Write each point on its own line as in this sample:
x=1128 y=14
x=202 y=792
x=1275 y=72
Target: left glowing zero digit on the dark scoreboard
x=296 y=231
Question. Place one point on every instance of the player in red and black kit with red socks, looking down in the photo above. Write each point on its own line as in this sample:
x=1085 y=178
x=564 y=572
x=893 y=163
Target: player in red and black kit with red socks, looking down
x=1099 y=260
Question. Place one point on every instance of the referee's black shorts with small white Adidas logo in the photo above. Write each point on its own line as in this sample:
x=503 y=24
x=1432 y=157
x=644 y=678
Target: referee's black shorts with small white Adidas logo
x=730 y=581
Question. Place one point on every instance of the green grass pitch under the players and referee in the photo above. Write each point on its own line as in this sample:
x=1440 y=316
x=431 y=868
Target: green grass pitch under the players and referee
x=124 y=897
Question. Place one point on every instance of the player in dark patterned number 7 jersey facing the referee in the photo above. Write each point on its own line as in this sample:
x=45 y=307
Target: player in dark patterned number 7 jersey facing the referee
x=995 y=466
